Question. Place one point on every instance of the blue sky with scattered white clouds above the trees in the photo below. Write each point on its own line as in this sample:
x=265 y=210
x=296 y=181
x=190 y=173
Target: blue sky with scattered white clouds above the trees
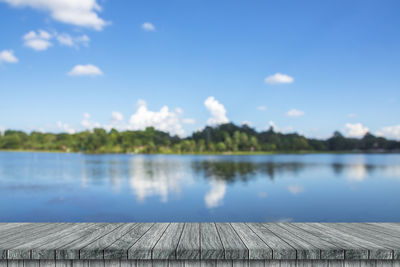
x=306 y=66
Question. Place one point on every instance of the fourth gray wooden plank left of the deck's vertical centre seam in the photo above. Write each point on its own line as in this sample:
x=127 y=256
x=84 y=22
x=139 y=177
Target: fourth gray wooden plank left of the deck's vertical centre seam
x=119 y=249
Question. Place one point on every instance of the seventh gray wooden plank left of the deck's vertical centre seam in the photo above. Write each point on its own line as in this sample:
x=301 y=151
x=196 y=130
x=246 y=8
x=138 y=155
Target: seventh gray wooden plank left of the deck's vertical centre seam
x=48 y=250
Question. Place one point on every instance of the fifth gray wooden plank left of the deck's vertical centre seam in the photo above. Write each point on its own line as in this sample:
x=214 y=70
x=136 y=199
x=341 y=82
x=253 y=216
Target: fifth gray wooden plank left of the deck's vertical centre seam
x=95 y=250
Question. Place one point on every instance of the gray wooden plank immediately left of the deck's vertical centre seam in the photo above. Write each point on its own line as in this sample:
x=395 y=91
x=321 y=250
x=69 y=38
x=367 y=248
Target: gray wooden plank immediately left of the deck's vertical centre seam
x=189 y=244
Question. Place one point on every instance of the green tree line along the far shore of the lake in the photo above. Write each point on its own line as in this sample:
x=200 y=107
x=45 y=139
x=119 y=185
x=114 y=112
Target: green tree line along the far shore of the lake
x=224 y=138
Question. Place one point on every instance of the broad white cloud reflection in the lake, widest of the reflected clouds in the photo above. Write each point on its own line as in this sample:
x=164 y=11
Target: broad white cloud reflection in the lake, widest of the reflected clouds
x=155 y=177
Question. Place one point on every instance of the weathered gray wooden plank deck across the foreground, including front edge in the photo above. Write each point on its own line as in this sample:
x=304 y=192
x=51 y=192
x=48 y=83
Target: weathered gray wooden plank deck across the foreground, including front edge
x=123 y=244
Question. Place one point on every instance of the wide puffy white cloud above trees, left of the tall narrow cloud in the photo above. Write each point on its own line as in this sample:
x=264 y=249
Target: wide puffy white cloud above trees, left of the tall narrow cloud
x=163 y=120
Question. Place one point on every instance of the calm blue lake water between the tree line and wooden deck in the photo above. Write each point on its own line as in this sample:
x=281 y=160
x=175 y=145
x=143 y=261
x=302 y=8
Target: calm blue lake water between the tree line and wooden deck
x=49 y=187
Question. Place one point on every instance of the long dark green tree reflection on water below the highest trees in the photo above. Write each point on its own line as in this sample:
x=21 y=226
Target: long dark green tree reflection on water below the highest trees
x=232 y=171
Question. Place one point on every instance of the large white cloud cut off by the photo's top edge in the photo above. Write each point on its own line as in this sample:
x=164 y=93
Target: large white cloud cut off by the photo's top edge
x=82 y=13
